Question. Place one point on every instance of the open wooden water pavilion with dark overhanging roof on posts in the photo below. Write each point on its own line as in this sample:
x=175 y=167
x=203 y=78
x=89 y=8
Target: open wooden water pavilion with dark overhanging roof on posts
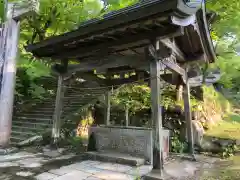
x=147 y=37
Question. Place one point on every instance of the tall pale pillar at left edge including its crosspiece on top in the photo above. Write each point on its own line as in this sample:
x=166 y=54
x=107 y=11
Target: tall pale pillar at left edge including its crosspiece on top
x=9 y=52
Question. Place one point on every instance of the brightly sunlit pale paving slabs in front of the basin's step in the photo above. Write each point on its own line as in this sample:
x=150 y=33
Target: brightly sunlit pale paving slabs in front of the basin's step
x=95 y=170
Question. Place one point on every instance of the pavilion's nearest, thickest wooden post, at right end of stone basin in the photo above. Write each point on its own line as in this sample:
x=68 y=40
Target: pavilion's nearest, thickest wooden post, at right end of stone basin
x=156 y=114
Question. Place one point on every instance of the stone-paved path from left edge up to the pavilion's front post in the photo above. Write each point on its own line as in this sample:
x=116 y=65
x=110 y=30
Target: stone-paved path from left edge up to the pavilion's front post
x=49 y=166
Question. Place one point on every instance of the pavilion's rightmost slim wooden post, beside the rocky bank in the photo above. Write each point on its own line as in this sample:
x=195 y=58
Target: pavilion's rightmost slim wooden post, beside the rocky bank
x=188 y=117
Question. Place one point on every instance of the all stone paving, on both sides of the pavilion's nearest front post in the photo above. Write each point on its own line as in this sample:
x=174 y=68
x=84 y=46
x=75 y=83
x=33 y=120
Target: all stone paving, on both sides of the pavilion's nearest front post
x=54 y=166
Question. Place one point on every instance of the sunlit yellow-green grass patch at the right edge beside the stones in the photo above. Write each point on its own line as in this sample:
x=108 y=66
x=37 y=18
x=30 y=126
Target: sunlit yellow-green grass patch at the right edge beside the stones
x=229 y=128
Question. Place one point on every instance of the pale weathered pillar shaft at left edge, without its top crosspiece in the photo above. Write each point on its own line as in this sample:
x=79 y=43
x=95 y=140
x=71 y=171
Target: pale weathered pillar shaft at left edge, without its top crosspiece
x=8 y=80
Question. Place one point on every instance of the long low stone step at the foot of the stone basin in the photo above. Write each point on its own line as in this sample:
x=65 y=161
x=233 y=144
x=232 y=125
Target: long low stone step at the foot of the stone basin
x=114 y=157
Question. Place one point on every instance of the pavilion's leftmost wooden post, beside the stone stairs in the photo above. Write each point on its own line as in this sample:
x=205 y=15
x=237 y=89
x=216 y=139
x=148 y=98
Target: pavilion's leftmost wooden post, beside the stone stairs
x=58 y=110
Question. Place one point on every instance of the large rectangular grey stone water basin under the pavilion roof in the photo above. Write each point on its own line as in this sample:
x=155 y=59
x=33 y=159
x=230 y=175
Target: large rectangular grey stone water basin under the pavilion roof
x=132 y=141
